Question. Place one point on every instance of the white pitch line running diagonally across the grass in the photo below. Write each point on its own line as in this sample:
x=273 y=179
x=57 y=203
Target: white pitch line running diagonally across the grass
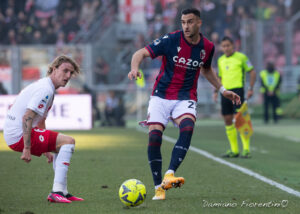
x=236 y=167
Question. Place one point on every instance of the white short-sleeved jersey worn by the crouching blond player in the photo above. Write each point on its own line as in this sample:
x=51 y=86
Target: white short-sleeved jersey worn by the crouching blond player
x=38 y=97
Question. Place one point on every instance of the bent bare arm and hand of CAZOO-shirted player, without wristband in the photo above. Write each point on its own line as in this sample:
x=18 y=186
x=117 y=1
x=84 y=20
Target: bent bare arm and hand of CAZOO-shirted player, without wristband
x=136 y=60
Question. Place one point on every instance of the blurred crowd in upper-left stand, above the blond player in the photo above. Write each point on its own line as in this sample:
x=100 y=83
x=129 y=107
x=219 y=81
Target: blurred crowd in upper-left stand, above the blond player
x=44 y=21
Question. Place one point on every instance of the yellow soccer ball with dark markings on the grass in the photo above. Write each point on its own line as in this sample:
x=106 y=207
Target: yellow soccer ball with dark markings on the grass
x=132 y=192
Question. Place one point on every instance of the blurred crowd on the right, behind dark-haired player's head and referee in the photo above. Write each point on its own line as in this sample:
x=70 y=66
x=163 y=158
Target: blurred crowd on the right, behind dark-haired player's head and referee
x=224 y=18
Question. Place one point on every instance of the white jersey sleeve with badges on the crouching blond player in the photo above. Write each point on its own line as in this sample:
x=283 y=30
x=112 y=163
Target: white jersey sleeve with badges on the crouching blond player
x=39 y=102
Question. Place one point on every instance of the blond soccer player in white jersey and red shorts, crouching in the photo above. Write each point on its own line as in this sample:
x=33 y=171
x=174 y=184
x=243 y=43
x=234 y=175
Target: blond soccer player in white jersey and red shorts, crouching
x=25 y=130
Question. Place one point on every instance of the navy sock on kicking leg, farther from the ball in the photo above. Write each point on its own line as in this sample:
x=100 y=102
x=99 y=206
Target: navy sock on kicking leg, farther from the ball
x=182 y=145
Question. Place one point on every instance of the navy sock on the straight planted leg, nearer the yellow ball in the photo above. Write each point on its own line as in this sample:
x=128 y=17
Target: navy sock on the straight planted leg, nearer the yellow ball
x=154 y=155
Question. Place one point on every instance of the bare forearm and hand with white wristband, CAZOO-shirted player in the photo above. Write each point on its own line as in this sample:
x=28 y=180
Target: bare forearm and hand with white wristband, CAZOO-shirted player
x=211 y=76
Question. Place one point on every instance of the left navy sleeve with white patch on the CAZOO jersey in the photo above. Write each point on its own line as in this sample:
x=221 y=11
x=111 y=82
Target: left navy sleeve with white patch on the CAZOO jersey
x=159 y=46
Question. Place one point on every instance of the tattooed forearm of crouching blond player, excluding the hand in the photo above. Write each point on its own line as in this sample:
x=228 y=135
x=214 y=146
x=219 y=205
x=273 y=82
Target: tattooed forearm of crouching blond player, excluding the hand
x=27 y=126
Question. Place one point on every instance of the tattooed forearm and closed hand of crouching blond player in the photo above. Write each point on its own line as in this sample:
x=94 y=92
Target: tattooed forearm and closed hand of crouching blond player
x=27 y=126
